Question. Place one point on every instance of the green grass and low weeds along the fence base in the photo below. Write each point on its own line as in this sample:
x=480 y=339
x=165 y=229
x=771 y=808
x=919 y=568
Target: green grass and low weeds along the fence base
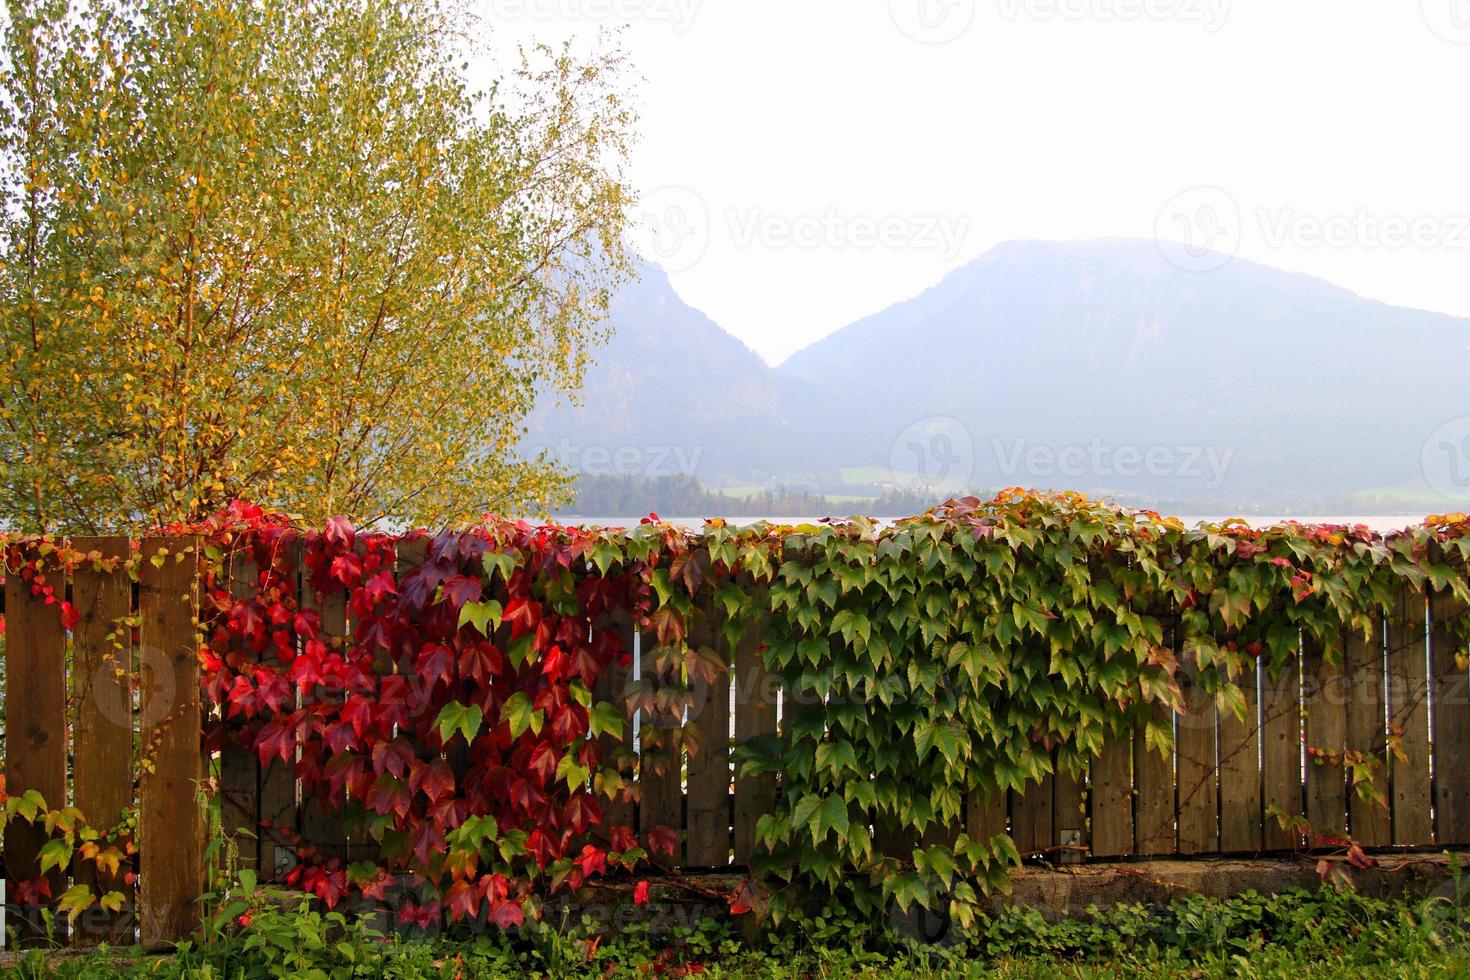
x=1294 y=935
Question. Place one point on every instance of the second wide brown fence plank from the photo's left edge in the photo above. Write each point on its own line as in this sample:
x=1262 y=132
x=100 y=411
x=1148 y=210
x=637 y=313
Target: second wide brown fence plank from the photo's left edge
x=102 y=694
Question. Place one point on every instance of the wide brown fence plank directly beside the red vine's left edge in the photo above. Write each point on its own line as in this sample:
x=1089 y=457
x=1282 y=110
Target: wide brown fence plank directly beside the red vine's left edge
x=171 y=821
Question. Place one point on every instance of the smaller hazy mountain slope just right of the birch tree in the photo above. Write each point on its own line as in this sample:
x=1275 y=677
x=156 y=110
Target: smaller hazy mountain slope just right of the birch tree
x=671 y=392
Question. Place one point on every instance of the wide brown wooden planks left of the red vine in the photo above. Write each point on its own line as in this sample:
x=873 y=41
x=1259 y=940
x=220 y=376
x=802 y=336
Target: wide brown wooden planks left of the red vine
x=77 y=727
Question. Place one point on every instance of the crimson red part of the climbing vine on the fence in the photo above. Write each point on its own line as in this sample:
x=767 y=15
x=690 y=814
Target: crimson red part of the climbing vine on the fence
x=455 y=724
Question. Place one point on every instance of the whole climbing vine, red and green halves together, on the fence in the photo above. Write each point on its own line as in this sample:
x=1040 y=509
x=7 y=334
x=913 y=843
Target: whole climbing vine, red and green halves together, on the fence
x=461 y=712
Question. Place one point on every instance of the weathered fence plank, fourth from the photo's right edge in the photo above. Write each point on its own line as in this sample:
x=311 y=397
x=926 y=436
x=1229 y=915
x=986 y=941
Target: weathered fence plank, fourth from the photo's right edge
x=1327 y=722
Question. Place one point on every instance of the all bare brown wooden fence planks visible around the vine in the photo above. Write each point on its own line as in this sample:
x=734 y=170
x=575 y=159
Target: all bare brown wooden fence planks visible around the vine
x=1405 y=688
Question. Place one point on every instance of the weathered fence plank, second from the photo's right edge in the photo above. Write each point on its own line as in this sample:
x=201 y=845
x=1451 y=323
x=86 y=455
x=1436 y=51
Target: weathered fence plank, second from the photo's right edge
x=1409 y=699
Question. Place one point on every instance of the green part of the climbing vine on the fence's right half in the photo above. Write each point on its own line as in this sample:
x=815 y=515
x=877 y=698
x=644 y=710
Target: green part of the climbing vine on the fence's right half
x=989 y=644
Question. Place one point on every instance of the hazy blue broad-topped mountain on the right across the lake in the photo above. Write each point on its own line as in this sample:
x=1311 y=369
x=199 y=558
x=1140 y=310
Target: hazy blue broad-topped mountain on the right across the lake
x=1309 y=392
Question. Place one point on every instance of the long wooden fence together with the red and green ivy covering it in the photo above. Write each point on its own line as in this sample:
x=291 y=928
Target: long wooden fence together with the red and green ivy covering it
x=875 y=713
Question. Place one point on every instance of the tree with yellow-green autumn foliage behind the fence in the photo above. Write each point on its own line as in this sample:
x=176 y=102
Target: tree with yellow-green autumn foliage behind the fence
x=282 y=251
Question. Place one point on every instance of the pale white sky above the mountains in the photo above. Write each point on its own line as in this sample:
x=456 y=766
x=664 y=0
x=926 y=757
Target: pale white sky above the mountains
x=809 y=162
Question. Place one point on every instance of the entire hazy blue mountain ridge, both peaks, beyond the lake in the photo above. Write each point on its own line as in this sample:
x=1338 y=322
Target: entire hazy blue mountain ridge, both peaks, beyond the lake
x=1093 y=365
